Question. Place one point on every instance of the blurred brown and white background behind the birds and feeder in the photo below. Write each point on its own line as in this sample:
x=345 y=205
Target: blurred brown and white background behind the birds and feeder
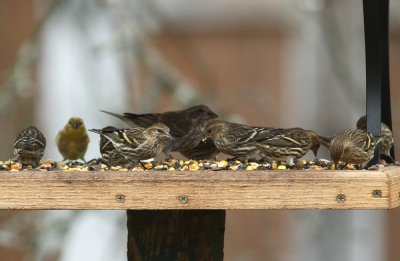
x=268 y=63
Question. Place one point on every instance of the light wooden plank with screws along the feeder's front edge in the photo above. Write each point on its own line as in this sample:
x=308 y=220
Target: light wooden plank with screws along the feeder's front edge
x=201 y=190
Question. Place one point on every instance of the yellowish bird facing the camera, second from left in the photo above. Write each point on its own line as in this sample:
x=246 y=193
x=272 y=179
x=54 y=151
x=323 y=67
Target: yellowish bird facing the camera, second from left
x=72 y=141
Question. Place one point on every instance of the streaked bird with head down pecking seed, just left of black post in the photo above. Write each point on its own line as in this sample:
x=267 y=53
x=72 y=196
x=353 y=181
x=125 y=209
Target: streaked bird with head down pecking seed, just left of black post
x=353 y=146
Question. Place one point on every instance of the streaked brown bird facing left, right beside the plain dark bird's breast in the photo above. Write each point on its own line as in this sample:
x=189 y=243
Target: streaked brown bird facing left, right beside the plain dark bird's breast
x=236 y=139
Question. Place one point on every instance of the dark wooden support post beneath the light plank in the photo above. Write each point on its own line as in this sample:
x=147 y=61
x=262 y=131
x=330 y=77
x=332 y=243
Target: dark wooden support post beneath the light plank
x=176 y=234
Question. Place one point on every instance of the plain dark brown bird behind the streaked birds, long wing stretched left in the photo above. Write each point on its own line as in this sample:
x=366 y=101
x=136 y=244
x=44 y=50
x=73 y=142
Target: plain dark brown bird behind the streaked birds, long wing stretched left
x=186 y=126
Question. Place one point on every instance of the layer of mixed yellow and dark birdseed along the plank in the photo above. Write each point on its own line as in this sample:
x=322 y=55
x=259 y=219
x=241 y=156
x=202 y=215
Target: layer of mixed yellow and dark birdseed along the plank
x=173 y=165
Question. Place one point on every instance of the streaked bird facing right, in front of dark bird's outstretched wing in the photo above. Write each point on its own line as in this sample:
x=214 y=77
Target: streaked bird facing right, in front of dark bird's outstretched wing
x=138 y=143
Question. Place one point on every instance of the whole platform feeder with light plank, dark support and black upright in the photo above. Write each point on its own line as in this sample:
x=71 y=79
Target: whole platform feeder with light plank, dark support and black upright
x=181 y=215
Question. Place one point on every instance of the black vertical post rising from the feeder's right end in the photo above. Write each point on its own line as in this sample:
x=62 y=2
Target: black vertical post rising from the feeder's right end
x=376 y=14
